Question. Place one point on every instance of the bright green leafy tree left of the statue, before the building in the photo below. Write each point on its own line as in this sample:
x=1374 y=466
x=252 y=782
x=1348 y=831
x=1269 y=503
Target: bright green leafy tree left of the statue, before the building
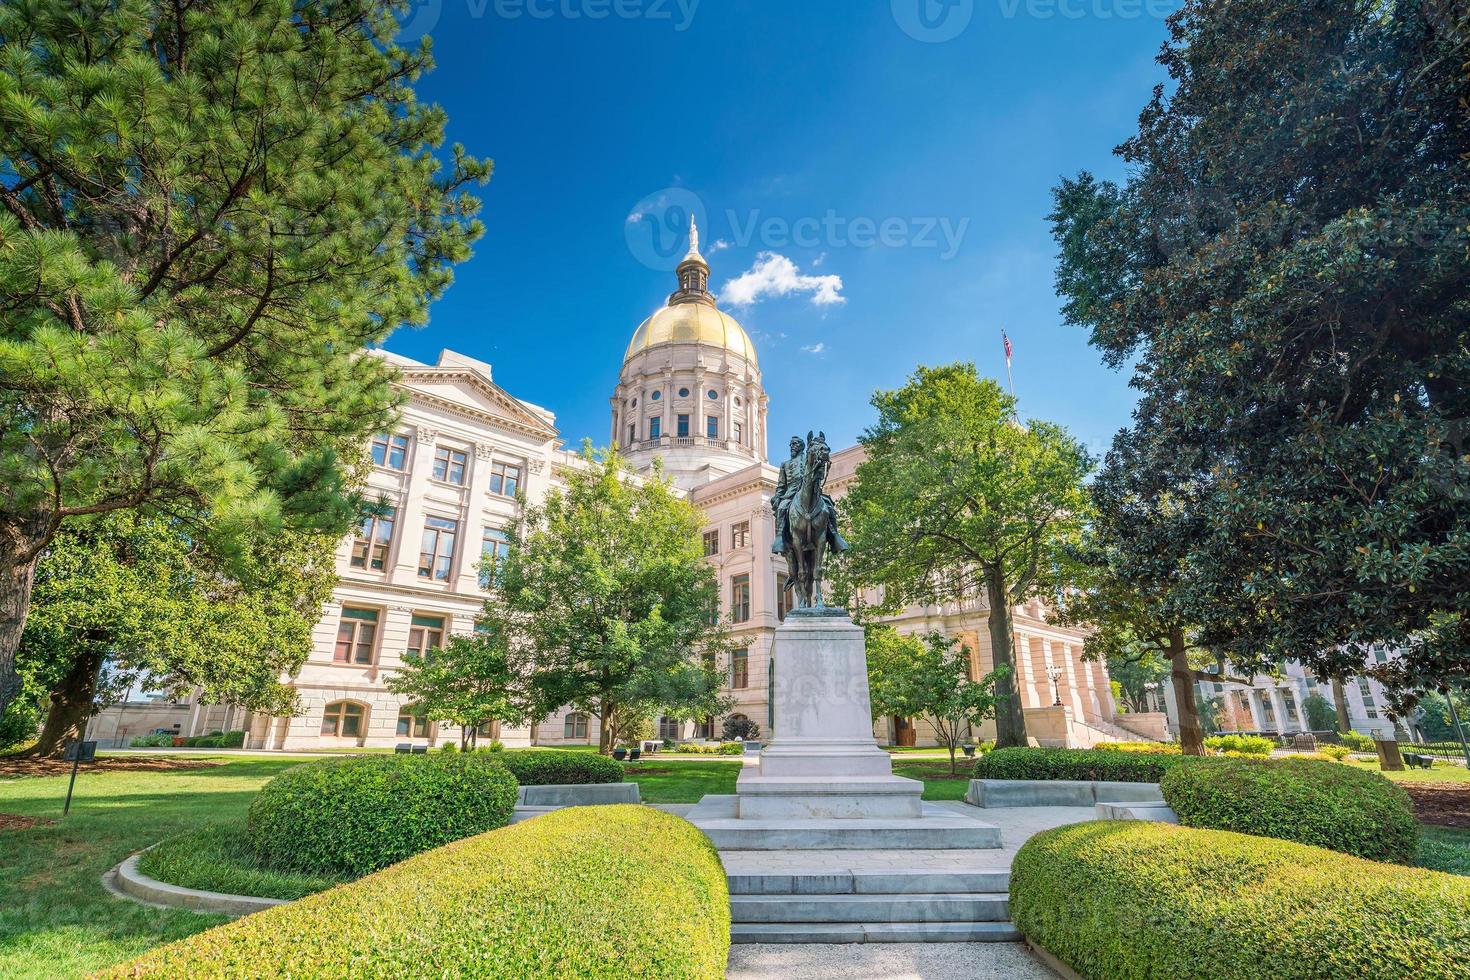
x=605 y=600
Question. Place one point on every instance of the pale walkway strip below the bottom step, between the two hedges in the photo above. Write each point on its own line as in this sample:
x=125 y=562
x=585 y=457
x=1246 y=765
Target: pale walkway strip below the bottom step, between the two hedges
x=887 y=962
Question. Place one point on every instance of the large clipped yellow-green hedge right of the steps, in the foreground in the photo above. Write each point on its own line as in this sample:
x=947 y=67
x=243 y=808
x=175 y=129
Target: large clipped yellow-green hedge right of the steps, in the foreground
x=1150 y=900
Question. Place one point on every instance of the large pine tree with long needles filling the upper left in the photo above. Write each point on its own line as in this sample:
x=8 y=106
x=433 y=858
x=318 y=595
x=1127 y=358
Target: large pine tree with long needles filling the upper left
x=208 y=211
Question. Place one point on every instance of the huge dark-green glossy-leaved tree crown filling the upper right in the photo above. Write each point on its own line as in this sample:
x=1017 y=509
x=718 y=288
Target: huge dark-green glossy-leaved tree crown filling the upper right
x=1286 y=271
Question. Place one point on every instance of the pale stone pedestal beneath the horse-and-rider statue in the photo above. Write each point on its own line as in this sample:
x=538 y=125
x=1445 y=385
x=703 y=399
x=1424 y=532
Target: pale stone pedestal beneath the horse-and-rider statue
x=824 y=762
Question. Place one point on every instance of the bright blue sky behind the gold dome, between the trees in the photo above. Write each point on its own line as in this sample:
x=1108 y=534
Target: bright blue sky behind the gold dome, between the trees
x=843 y=139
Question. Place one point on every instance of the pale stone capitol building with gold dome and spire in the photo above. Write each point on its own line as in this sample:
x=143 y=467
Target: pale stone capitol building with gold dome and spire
x=689 y=393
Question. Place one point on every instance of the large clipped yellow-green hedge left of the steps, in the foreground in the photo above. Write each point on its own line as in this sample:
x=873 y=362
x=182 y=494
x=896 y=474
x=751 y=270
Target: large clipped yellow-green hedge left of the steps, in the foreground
x=583 y=893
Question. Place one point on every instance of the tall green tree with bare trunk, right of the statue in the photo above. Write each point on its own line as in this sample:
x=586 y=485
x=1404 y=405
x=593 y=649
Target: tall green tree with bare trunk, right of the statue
x=958 y=499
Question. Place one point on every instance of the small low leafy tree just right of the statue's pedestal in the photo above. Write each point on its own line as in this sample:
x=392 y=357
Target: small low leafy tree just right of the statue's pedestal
x=930 y=677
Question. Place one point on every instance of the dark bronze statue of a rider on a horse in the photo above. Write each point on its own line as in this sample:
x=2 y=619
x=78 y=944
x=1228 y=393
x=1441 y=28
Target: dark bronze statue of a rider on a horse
x=806 y=519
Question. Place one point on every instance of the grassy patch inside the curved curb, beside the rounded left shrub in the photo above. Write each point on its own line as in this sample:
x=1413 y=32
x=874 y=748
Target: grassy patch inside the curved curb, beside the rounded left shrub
x=218 y=859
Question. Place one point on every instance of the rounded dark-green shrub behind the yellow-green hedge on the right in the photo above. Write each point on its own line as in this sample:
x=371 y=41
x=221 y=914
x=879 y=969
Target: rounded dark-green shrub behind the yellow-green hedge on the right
x=1300 y=800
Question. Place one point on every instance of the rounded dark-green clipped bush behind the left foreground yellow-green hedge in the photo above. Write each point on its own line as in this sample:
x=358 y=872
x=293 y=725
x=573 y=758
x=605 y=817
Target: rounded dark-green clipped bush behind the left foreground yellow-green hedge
x=362 y=813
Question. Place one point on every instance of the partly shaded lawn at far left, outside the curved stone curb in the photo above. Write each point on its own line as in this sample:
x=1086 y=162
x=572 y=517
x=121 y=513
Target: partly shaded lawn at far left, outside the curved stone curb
x=57 y=920
